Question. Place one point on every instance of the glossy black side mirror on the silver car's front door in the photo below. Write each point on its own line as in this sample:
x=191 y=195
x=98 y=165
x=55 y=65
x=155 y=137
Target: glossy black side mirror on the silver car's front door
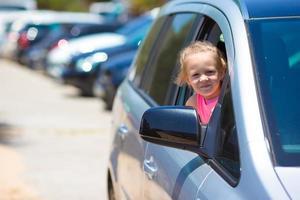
x=173 y=126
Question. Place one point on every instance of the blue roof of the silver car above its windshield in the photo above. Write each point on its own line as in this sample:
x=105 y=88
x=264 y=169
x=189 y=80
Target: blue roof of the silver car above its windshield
x=269 y=8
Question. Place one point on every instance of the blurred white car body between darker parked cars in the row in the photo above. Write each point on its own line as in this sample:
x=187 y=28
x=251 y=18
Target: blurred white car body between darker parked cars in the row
x=63 y=58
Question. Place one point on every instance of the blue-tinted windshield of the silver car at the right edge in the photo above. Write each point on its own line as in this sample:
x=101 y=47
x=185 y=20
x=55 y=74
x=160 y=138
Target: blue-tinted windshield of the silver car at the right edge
x=276 y=52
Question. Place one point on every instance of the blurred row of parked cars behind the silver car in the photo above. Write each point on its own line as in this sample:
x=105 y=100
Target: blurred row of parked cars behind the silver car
x=85 y=43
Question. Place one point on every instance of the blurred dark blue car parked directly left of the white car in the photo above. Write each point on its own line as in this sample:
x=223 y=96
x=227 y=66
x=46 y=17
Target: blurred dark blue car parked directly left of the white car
x=35 y=55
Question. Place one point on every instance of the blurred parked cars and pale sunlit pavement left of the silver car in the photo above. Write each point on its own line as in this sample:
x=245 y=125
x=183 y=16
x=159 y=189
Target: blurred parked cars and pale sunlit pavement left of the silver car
x=61 y=62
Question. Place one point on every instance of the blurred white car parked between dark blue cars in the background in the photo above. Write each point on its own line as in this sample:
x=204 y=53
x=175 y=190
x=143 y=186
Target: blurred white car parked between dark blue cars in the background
x=60 y=56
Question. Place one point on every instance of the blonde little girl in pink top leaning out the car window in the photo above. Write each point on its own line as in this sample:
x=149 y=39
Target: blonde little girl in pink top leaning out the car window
x=202 y=68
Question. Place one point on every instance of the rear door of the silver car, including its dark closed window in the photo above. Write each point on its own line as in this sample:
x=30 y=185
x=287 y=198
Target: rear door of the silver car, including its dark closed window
x=144 y=89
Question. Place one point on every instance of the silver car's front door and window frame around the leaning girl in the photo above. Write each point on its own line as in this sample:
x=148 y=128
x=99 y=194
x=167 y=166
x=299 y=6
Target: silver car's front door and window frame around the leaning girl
x=177 y=174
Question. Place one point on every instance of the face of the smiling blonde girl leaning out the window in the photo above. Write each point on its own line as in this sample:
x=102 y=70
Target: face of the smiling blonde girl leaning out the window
x=203 y=73
